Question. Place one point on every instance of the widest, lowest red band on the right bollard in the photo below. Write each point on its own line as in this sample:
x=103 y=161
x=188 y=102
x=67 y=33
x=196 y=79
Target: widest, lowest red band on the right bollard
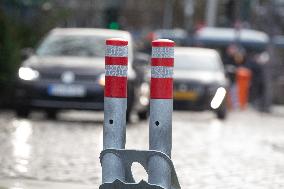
x=161 y=88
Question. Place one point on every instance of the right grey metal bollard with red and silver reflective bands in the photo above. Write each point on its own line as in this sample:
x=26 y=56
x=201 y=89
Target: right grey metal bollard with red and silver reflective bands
x=161 y=107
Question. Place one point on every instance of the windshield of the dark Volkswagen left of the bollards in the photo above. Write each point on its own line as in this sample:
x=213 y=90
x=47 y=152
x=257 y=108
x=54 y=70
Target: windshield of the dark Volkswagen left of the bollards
x=72 y=45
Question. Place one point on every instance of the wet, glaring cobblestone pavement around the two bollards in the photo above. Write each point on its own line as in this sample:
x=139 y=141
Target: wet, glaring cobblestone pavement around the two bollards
x=245 y=151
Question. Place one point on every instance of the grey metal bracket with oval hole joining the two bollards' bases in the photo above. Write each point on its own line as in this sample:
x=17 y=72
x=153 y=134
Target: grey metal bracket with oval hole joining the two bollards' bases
x=130 y=156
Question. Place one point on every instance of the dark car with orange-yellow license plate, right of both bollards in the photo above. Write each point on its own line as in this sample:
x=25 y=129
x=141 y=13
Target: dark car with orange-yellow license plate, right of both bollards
x=200 y=82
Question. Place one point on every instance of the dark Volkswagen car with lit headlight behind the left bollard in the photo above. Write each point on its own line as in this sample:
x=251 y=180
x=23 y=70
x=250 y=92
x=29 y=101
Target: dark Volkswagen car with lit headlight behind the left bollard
x=67 y=72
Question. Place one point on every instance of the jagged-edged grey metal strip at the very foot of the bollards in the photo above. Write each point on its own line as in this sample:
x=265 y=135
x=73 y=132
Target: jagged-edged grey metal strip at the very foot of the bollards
x=117 y=184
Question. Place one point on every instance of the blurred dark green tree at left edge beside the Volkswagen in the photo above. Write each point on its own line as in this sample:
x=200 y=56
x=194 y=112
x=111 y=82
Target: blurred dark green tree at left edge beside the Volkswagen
x=22 y=24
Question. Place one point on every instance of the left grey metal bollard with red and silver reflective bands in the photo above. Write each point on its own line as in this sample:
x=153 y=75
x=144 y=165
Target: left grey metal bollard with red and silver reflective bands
x=115 y=104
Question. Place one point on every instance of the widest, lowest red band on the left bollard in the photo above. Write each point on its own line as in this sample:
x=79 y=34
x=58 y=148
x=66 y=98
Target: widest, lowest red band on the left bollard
x=115 y=87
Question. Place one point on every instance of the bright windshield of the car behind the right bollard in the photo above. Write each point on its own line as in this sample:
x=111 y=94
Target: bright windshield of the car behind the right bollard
x=197 y=62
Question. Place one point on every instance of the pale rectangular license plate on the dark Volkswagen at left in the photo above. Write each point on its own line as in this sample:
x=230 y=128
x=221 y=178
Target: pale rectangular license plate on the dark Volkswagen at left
x=62 y=90
